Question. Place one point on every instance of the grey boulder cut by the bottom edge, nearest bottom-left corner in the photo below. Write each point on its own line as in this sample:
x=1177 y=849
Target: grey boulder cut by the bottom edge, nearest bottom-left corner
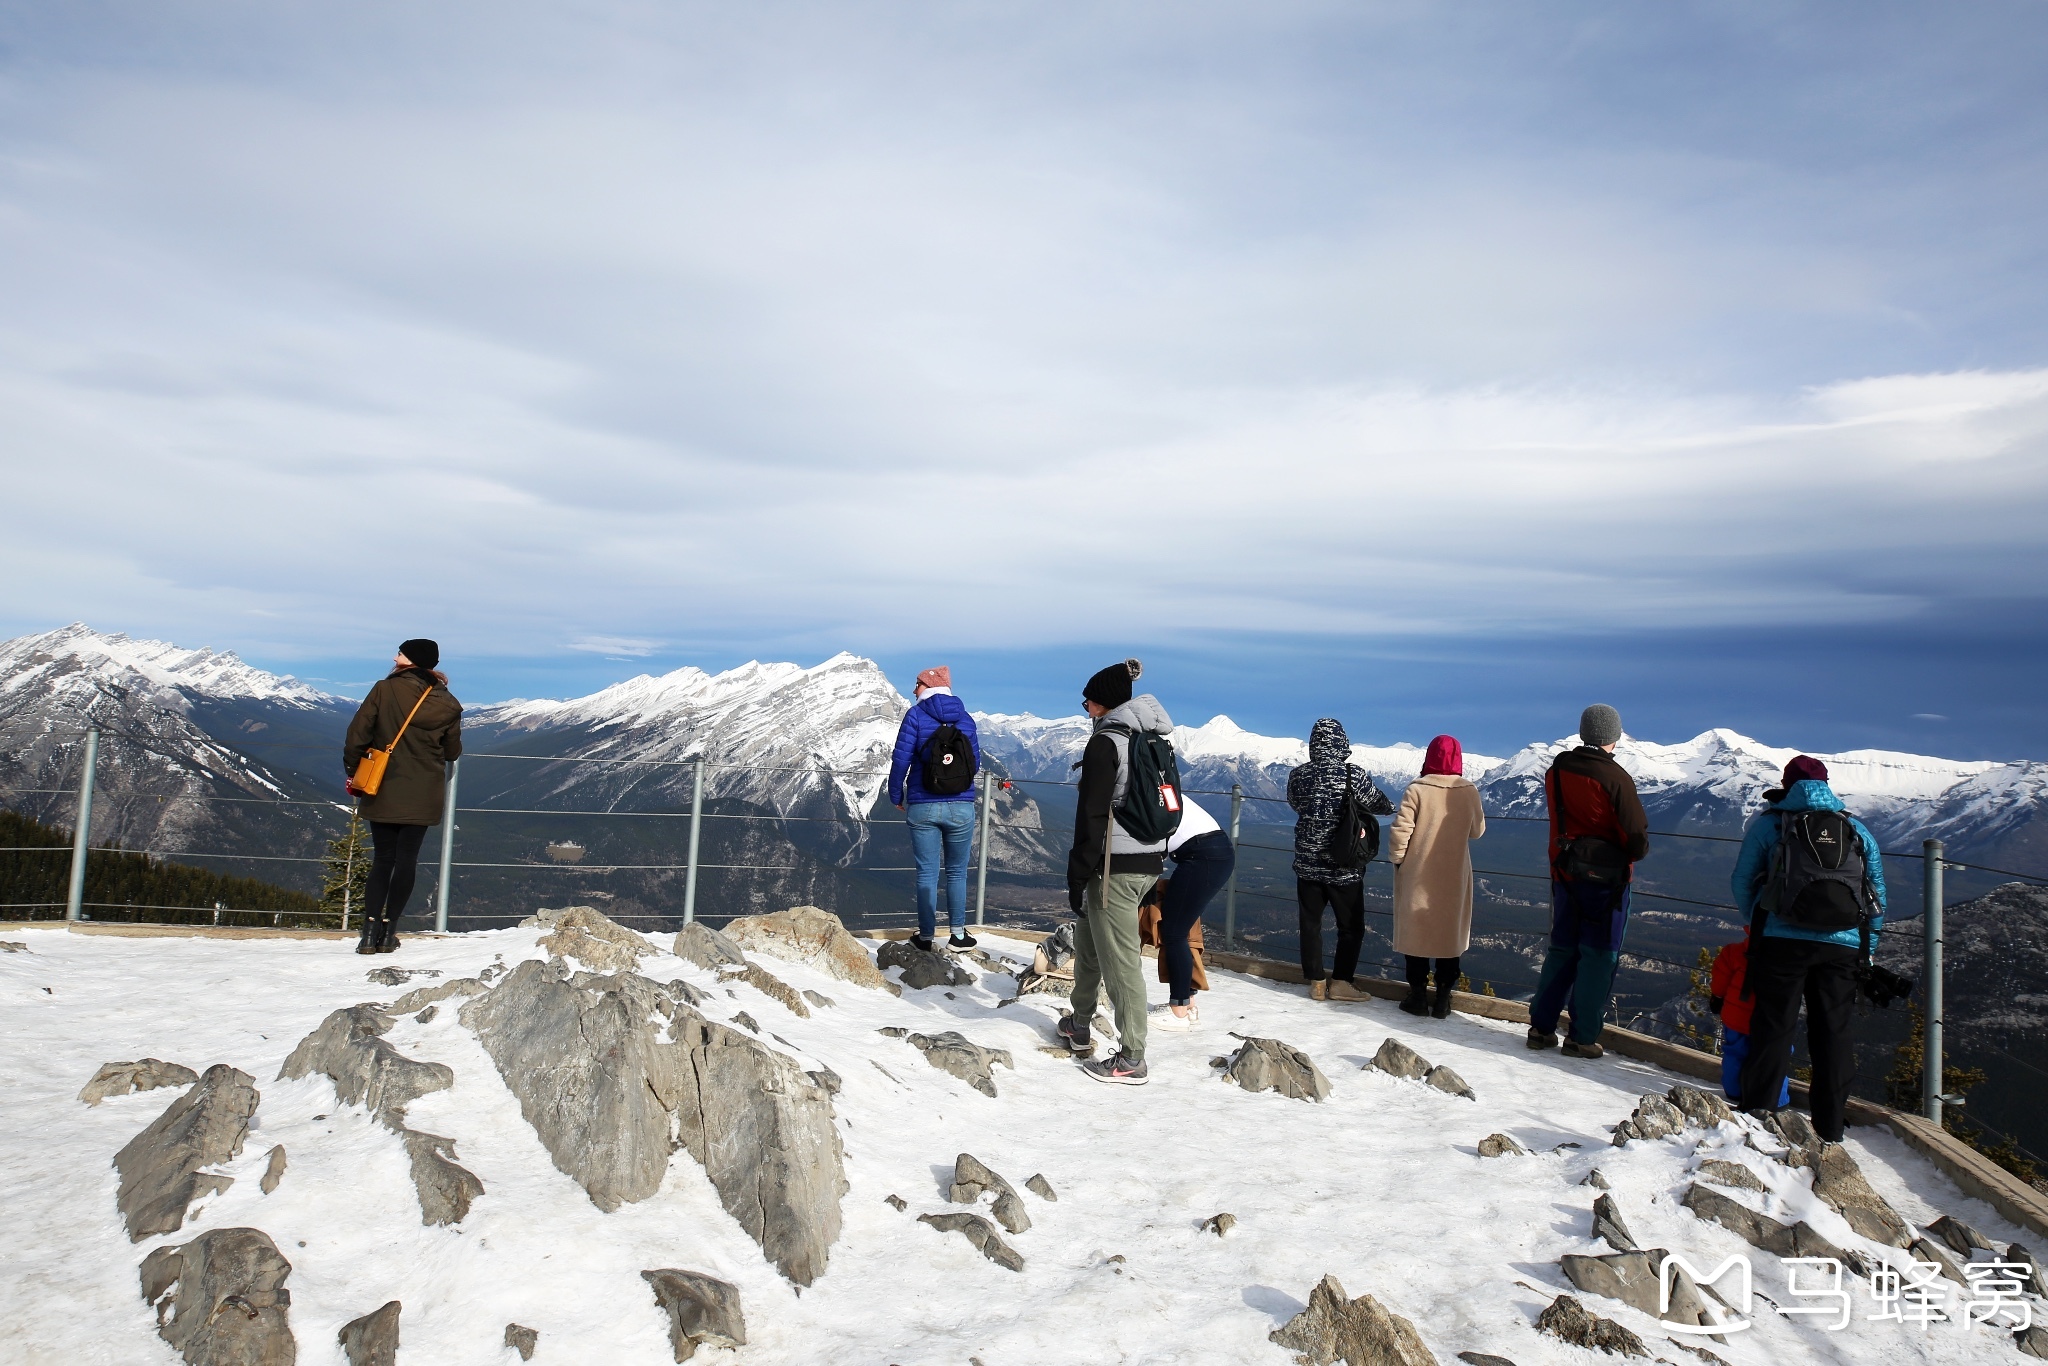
x=222 y=1301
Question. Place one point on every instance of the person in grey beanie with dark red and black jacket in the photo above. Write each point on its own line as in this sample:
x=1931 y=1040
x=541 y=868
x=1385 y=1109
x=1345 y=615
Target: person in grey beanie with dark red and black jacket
x=1598 y=833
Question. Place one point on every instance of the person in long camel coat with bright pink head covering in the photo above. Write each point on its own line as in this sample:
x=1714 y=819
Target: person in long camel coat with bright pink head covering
x=1433 y=855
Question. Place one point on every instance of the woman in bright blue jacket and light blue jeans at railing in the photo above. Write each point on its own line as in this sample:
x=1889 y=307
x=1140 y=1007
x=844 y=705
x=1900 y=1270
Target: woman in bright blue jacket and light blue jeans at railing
x=941 y=824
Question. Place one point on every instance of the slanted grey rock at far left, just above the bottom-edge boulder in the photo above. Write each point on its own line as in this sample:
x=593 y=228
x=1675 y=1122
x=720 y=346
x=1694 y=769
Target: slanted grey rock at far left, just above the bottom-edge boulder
x=161 y=1168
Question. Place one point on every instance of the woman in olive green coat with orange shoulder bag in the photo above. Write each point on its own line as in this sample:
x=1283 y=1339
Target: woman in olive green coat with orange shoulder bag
x=415 y=783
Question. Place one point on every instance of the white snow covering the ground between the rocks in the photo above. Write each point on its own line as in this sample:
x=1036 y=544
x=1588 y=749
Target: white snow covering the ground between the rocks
x=1379 y=1187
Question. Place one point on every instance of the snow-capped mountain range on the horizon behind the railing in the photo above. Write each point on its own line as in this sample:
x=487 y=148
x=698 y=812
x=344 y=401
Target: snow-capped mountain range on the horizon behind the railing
x=814 y=742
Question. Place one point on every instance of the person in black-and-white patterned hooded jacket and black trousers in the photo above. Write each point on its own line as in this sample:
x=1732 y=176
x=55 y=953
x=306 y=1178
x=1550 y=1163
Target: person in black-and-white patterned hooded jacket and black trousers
x=1316 y=792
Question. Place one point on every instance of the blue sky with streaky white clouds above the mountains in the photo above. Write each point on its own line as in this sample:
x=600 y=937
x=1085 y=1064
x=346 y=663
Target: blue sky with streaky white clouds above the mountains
x=1400 y=361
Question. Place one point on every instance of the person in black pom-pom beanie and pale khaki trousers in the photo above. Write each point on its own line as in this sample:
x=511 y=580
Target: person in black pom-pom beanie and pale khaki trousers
x=1107 y=898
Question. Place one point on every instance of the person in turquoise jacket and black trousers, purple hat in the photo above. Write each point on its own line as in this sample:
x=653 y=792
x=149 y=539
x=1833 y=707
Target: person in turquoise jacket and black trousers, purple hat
x=1797 y=964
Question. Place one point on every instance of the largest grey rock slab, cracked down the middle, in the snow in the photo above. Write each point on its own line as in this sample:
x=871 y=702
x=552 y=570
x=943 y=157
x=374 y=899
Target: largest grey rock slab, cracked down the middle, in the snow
x=613 y=1097
